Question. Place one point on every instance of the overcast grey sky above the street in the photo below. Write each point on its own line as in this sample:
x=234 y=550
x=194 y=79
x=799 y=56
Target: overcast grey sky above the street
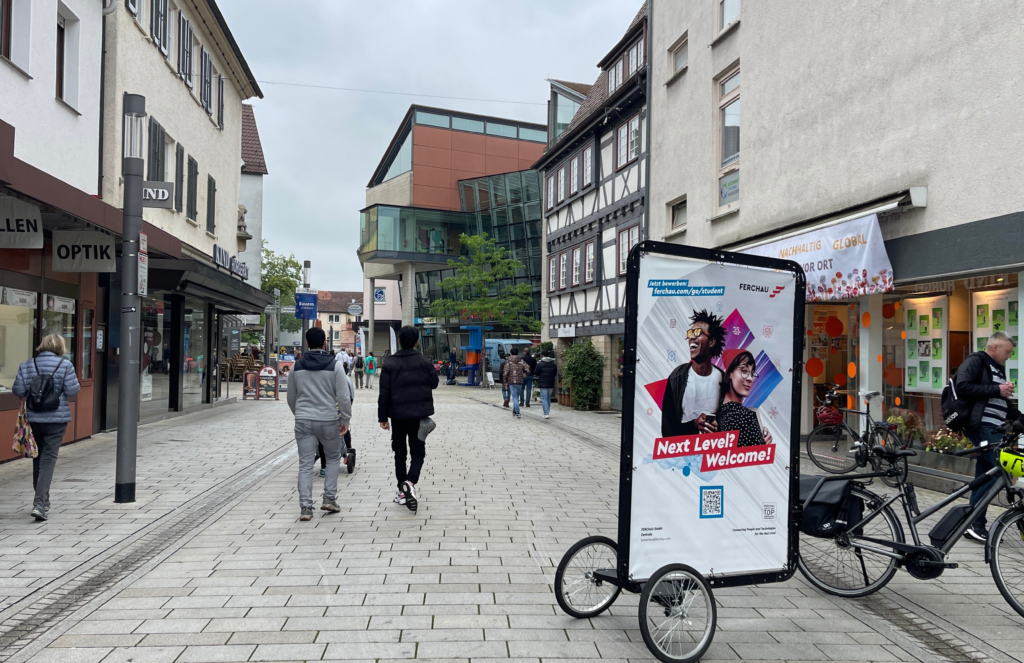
x=322 y=146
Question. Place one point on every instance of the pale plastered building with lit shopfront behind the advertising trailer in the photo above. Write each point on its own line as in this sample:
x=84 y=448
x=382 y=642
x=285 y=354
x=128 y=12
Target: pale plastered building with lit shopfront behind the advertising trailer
x=863 y=168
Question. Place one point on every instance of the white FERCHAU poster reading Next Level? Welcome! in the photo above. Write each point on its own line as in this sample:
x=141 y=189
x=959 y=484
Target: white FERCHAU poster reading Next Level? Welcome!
x=713 y=416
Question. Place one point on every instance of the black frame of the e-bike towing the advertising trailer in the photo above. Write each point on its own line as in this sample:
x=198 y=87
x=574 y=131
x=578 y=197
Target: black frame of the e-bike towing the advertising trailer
x=1002 y=483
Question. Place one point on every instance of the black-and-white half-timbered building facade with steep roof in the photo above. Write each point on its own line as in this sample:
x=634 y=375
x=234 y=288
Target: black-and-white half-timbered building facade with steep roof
x=595 y=204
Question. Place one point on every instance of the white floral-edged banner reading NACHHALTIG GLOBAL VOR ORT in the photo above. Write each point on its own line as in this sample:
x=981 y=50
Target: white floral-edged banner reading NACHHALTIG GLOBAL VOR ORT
x=842 y=262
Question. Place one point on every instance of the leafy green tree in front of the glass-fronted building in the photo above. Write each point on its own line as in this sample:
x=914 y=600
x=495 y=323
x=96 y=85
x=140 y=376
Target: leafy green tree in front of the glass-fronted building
x=483 y=289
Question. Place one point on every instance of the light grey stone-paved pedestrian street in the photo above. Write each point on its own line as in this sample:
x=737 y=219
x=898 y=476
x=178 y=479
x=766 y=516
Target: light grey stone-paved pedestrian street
x=467 y=578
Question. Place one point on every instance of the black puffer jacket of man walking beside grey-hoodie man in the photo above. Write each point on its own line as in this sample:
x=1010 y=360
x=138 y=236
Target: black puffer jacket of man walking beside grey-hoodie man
x=406 y=382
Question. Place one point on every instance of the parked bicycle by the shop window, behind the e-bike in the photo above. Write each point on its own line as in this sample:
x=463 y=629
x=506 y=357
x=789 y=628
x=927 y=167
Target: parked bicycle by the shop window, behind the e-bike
x=834 y=446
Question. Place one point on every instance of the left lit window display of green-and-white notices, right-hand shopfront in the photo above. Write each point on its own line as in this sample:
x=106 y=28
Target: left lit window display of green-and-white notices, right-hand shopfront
x=927 y=351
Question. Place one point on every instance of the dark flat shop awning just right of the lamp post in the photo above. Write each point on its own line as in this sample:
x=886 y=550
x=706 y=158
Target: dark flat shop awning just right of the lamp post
x=194 y=279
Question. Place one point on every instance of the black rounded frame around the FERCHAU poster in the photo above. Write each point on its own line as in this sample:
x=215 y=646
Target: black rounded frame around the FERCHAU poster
x=626 y=466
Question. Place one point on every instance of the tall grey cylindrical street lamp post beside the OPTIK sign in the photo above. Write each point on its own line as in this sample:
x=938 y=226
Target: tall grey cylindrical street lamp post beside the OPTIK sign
x=132 y=303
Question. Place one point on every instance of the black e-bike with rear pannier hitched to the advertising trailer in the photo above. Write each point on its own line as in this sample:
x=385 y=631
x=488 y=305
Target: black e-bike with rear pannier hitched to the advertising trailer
x=860 y=559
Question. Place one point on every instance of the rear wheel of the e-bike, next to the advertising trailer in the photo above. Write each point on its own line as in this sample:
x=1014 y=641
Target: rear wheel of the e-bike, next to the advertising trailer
x=837 y=566
